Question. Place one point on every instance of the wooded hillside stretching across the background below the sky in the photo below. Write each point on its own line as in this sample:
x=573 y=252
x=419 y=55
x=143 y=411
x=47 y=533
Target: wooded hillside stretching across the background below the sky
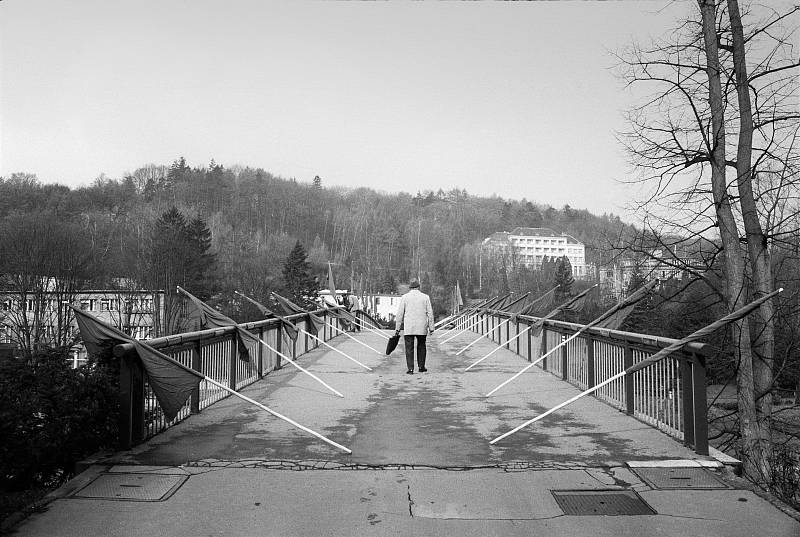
x=375 y=239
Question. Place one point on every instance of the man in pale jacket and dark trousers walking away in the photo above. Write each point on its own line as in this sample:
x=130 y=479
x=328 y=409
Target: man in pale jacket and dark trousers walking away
x=415 y=318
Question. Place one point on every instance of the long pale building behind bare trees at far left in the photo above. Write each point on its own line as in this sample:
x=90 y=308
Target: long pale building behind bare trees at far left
x=43 y=318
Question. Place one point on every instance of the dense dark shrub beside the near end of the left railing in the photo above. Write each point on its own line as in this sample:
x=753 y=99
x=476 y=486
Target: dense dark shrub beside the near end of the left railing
x=52 y=416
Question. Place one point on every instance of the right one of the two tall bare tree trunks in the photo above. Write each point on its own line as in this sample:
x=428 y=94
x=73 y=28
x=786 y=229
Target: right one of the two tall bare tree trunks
x=764 y=342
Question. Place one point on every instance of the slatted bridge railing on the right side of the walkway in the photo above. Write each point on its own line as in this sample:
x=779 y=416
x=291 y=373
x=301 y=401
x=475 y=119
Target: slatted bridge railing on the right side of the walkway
x=669 y=395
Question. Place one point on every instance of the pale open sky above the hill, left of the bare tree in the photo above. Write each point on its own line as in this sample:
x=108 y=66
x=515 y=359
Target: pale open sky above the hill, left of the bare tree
x=515 y=99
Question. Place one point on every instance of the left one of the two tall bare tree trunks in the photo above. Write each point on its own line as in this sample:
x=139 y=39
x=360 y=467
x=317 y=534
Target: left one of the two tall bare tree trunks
x=752 y=452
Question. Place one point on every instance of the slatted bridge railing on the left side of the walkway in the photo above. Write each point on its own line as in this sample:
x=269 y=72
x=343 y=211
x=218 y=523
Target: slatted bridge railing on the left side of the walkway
x=215 y=354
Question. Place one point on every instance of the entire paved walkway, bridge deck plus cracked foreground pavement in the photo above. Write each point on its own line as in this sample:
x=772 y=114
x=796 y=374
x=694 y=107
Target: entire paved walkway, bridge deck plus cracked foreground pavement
x=440 y=418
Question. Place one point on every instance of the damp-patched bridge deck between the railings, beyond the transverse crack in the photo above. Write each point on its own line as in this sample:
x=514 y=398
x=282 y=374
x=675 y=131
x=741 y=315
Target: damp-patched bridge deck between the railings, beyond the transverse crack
x=439 y=418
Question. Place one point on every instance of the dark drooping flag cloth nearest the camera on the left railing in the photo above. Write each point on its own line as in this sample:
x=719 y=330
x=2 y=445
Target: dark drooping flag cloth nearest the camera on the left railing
x=171 y=381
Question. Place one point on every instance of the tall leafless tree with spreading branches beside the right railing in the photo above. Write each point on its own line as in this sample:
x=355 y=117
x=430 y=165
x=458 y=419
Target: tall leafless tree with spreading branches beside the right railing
x=721 y=88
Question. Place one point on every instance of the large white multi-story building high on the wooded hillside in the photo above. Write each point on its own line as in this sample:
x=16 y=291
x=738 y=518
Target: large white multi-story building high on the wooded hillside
x=530 y=245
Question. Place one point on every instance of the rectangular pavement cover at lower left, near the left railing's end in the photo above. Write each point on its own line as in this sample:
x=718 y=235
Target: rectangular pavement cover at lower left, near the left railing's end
x=132 y=487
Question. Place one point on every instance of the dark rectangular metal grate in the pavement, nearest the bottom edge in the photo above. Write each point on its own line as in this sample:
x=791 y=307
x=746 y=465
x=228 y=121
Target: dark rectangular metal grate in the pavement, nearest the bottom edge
x=601 y=502
